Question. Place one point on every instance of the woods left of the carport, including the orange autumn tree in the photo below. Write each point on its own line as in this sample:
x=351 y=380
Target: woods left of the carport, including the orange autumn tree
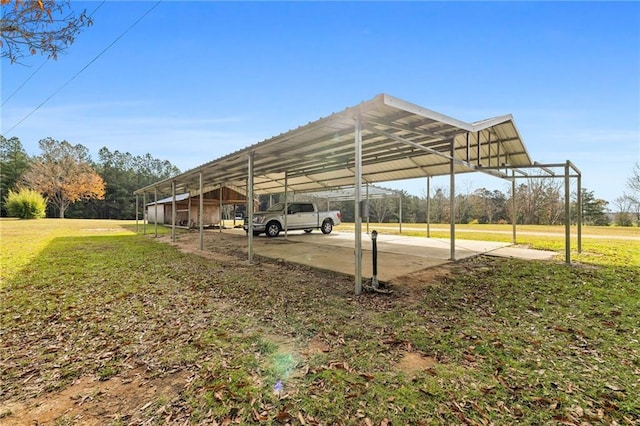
x=75 y=185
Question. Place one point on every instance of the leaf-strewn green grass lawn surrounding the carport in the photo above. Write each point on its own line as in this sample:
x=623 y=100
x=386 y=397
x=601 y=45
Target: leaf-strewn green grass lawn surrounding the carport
x=514 y=341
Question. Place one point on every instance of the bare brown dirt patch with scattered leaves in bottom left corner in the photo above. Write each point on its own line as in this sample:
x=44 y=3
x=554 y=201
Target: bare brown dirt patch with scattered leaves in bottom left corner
x=88 y=401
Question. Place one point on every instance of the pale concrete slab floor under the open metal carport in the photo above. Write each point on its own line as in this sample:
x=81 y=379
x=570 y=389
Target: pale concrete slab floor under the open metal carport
x=397 y=255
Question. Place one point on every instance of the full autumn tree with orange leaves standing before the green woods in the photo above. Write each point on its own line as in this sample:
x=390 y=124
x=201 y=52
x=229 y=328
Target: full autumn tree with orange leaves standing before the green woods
x=63 y=173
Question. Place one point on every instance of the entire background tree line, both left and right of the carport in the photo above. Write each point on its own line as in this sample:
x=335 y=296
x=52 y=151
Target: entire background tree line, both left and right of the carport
x=77 y=186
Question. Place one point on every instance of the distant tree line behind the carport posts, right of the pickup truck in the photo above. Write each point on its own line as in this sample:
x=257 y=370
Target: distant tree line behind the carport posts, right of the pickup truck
x=537 y=202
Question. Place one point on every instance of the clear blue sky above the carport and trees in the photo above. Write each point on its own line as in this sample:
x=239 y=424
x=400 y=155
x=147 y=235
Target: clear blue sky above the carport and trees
x=194 y=81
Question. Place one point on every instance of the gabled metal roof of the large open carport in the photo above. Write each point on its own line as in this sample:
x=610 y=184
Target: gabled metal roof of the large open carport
x=400 y=140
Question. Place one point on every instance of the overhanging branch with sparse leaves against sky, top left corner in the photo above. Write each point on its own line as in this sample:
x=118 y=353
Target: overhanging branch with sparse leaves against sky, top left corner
x=38 y=26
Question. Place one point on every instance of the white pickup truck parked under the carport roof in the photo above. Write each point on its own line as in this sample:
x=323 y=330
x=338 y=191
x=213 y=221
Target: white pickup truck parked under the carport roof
x=303 y=216
